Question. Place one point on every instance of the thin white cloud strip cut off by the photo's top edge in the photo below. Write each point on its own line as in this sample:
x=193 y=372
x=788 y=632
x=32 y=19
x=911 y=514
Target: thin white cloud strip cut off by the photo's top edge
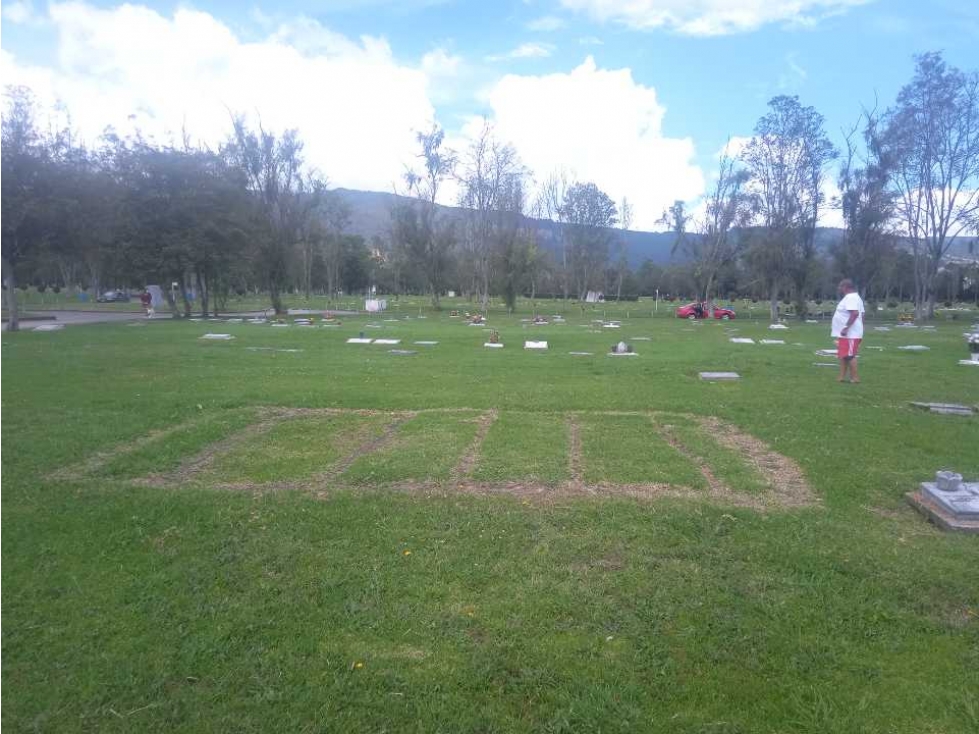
x=710 y=17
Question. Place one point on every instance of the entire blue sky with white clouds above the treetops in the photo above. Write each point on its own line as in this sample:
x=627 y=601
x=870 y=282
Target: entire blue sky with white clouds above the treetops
x=668 y=80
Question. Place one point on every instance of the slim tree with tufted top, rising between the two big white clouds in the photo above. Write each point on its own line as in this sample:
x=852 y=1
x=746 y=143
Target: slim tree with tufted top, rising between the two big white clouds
x=430 y=238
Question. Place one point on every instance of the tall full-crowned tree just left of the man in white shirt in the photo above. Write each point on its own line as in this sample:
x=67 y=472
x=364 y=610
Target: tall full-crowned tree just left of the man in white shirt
x=787 y=158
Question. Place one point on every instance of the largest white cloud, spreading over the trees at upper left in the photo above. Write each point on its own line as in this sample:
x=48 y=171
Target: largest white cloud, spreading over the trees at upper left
x=354 y=104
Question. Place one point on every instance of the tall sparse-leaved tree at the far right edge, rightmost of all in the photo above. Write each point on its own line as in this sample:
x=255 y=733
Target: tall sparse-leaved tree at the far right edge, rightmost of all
x=932 y=134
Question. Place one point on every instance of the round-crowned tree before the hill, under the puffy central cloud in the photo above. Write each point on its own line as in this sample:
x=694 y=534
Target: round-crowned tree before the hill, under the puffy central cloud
x=588 y=215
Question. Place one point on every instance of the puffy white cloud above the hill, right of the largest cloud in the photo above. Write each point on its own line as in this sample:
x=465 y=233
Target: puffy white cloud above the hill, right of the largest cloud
x=602 y=126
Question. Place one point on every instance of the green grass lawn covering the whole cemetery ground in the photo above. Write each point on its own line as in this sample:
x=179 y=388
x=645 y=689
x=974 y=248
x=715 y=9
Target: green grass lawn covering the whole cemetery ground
x=185 y=550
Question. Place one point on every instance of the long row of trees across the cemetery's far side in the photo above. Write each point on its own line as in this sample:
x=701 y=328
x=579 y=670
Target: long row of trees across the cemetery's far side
x=251 y=215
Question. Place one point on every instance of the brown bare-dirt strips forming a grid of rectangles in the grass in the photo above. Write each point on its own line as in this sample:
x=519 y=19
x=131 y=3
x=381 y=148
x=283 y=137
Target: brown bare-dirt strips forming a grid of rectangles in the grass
x=788 y=488
